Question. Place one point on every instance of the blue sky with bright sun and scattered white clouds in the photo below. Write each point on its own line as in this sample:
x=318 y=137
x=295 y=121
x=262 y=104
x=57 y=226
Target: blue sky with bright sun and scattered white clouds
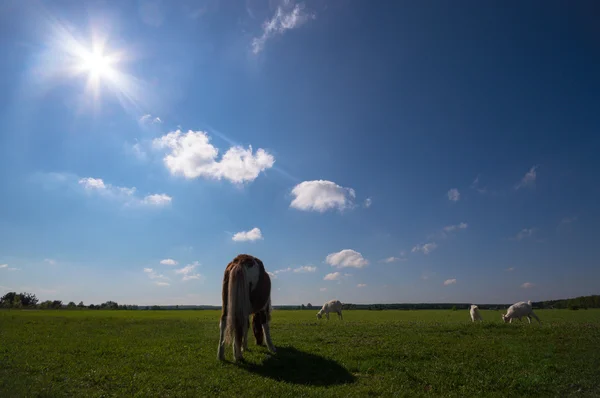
x=409 y=152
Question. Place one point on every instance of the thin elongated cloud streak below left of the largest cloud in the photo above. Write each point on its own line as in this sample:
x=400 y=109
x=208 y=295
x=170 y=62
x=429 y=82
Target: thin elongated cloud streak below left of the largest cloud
x=124 y=194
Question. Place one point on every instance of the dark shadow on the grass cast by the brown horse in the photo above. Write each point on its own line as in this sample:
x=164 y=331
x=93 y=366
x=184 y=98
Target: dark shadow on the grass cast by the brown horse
x=298 y=367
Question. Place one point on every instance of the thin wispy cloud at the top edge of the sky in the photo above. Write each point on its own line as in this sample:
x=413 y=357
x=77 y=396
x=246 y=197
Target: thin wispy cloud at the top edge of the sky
x=286 y=17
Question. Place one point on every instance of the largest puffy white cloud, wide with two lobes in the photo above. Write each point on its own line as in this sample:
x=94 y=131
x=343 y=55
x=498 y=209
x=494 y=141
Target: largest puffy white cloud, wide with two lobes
x=192 y=155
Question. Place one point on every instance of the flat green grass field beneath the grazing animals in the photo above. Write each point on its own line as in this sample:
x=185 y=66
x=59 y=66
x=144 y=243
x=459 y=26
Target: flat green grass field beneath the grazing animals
x=370 y=353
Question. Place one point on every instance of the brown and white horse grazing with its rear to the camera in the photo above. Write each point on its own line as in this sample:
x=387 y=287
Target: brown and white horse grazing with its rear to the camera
x=246 y=291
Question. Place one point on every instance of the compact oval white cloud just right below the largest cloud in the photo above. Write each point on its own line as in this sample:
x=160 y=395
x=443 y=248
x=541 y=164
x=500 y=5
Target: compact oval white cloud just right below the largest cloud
x=321 y=195
